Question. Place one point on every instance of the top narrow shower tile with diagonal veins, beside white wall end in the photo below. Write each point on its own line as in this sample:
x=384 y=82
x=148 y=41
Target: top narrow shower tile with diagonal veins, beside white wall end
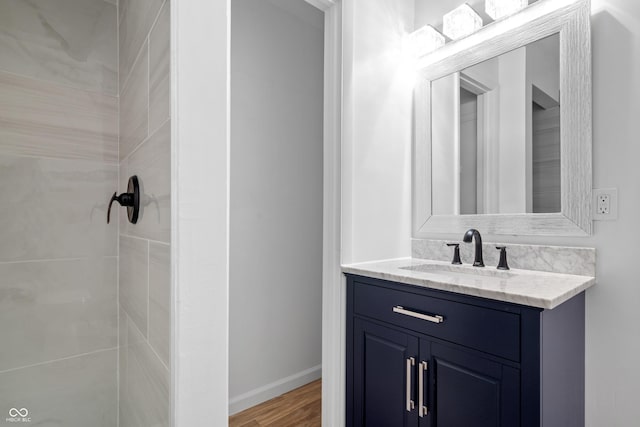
x=159 y=71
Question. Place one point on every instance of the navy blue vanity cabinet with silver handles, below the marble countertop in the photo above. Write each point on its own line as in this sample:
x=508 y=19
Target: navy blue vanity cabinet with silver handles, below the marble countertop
x=427 y=358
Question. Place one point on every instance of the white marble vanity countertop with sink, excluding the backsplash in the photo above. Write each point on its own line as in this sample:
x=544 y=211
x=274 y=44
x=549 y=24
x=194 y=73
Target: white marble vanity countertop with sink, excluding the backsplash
x=525 y=287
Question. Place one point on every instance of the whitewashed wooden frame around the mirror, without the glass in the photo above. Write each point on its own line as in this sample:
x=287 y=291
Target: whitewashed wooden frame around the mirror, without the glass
x=570 y=18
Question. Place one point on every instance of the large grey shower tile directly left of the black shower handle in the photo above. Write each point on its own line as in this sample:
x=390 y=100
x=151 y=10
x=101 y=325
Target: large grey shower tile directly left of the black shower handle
x=54 y=208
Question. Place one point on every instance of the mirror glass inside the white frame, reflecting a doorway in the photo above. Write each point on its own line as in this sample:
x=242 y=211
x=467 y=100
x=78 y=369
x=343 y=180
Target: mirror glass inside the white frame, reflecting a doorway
x=496 y=135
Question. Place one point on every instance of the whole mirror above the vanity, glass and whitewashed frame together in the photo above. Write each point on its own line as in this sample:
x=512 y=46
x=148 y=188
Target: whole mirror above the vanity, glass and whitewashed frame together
x=503 y=127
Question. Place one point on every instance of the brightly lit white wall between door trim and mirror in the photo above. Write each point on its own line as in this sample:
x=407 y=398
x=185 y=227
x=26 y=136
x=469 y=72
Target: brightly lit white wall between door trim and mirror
x=377 y=130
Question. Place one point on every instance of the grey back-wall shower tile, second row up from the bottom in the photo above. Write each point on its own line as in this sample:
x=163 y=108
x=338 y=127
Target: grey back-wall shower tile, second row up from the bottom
x=55 y=309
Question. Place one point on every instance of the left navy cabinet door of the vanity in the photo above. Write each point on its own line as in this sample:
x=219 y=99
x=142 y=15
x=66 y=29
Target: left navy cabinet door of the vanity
x=384 y=362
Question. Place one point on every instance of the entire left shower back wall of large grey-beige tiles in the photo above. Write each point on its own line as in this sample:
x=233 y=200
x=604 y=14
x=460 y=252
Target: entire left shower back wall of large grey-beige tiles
x=58 y=165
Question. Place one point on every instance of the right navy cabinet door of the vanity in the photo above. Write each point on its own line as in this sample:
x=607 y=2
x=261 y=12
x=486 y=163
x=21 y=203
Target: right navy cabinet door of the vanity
x=469 y=390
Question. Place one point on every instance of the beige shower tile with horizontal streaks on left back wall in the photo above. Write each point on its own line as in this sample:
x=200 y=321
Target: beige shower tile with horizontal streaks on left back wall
x=44 y=119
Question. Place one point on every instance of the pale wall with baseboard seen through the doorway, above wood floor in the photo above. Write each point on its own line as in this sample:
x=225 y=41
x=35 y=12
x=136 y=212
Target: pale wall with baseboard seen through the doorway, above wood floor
x=276 y=198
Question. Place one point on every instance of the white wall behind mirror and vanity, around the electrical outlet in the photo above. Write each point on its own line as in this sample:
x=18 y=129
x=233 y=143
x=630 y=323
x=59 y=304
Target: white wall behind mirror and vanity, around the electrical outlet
x=613 y=318
